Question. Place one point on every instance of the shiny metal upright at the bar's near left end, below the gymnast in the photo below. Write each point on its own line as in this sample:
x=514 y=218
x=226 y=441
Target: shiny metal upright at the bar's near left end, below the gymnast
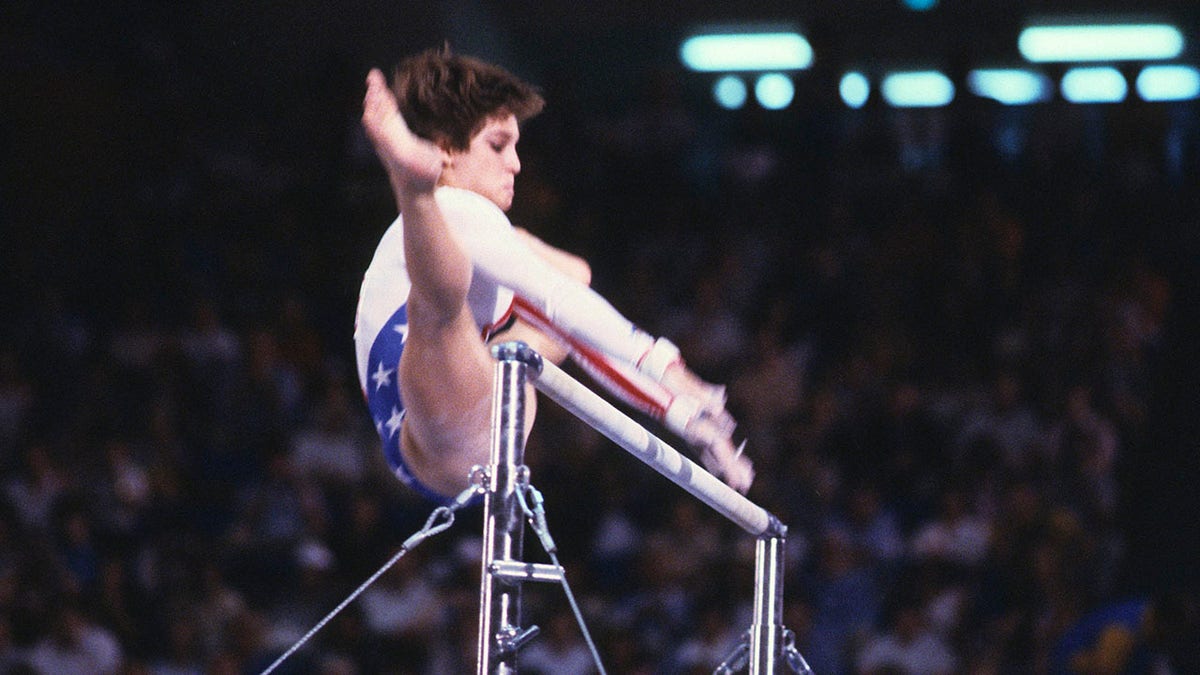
x=500 y=619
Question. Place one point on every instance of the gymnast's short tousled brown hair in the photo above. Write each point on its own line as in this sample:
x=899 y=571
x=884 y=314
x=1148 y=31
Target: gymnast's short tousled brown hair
x=448 y=98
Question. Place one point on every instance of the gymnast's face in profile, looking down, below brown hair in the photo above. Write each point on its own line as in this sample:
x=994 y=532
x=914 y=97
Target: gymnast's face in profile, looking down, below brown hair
x=490 y=164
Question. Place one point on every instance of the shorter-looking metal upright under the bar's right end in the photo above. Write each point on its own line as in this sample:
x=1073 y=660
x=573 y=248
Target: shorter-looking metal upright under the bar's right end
x=767 y=631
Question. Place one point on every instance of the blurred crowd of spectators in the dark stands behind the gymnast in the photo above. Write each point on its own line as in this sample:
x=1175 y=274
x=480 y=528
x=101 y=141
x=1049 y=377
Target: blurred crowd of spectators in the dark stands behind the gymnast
x=944 y=334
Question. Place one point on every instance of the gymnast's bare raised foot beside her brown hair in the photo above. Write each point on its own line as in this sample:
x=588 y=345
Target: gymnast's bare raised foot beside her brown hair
x=413 y=164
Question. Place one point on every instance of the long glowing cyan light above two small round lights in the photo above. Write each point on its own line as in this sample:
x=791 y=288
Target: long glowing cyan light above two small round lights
x=733 y=52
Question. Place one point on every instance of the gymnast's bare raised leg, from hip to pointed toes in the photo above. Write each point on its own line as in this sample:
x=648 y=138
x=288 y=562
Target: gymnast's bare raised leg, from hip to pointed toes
x=446 y=372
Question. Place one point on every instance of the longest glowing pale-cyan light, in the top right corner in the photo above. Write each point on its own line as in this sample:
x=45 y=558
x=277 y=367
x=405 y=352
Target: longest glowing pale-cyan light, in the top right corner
x=1101 y=43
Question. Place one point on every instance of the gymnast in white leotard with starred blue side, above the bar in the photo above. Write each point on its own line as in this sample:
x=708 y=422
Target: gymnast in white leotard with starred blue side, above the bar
x=452 y=274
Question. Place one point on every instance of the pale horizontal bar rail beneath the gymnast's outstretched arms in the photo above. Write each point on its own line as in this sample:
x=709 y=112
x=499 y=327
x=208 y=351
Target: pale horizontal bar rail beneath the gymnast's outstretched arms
x=623 y=431
